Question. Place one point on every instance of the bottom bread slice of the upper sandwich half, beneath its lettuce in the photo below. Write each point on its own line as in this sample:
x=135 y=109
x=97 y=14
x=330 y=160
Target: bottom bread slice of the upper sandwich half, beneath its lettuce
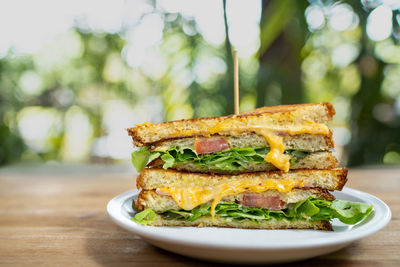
x=317 y=160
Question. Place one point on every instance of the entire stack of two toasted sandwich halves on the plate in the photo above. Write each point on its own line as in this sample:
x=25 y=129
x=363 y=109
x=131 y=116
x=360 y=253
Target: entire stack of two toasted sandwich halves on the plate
x=271 y=168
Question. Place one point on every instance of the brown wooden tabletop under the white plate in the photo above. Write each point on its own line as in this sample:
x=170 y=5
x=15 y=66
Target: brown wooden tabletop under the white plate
x=60 y=219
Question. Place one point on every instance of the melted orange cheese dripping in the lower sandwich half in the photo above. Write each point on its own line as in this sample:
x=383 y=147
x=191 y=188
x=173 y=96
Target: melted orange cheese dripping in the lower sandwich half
x=189 y=198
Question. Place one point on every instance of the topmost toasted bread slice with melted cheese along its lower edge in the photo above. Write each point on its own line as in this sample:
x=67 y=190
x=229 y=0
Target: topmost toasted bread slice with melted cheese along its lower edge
x=289 y=119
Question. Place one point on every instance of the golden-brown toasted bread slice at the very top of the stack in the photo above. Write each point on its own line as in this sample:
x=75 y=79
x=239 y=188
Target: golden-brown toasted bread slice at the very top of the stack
x=273 y=117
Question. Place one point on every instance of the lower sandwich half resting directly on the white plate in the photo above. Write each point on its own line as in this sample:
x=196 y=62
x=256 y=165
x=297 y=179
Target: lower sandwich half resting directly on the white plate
x=298 y=199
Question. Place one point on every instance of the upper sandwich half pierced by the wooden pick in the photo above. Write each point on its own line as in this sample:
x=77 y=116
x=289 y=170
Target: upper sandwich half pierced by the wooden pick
x=269 y=138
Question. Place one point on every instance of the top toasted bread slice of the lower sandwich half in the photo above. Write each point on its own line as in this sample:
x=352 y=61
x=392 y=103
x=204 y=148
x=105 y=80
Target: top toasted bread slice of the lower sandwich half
x=153 y=178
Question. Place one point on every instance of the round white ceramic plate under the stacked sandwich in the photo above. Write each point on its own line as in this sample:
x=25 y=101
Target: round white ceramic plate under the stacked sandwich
x=252 y=246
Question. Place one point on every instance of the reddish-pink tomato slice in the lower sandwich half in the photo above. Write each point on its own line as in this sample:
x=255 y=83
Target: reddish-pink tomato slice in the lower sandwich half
x=266 y=202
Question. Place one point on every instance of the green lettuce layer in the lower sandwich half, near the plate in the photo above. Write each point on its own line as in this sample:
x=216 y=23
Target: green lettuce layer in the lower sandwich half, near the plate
x=311 y=209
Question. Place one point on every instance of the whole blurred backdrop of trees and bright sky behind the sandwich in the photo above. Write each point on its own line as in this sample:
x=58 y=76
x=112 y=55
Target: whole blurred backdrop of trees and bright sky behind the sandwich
x=75 y=74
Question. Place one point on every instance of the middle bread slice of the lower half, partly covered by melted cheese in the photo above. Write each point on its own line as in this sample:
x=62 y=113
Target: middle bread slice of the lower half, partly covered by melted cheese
x=160 y=202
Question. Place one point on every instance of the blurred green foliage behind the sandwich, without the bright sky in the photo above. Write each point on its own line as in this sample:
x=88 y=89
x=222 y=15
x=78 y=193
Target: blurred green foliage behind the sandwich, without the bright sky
x=63 y=92
